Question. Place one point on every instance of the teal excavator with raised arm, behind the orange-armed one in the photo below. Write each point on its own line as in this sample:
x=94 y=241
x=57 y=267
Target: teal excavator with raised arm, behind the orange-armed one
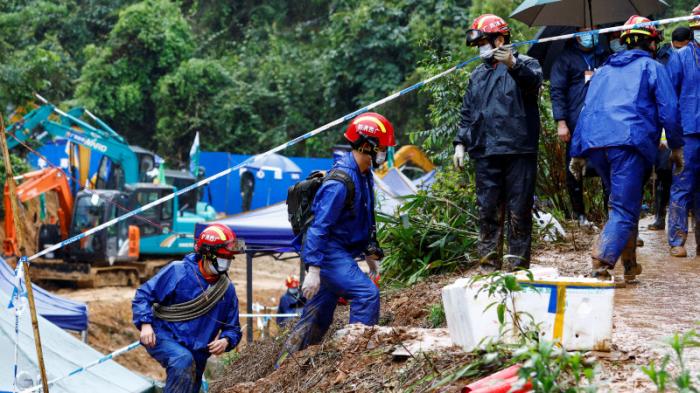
x=121 y=165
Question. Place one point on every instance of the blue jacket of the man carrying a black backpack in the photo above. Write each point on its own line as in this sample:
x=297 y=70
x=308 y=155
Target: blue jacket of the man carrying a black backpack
x=335 y=228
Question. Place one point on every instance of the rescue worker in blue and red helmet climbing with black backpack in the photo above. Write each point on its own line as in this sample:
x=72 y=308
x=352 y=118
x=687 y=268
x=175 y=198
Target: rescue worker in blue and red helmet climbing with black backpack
x=338 y=234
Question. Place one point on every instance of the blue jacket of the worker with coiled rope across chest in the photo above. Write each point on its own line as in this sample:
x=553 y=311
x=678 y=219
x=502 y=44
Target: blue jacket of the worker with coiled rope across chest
x=178 y=282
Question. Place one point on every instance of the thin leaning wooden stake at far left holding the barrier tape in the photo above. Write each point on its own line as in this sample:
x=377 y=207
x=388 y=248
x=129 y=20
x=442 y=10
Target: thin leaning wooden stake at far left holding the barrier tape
x=27 y=278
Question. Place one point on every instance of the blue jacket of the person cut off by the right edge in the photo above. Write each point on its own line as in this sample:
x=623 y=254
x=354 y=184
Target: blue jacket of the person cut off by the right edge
x=684 y=69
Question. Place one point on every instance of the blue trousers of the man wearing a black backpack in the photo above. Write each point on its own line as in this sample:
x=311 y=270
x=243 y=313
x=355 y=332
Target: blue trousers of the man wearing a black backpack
x=340 y=277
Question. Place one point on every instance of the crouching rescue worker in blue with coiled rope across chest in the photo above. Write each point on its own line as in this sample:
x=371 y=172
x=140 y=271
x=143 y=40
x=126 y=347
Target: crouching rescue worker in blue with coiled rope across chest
x=182 y=342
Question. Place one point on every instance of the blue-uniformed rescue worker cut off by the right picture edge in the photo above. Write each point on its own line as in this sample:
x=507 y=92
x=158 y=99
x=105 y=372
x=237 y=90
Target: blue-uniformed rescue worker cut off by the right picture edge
x=684 y=69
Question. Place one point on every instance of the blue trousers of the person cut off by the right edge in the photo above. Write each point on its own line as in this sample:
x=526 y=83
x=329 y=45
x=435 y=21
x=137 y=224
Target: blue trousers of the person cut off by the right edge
x=684 y=193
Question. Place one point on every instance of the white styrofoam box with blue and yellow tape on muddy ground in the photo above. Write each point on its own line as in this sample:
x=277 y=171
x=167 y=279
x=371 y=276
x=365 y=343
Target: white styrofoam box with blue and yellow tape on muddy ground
x=577 y=312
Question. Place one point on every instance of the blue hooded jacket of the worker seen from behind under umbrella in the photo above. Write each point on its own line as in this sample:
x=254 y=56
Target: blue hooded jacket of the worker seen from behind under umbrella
x=629 y=100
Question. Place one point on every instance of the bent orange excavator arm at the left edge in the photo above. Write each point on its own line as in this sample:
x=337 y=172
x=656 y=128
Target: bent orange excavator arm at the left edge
x=36 y=183
